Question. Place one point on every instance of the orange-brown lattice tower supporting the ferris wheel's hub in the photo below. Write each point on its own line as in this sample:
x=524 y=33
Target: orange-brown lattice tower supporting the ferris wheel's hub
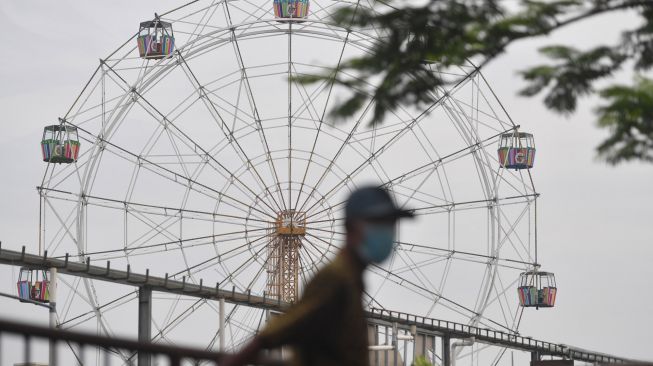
x=283 y=255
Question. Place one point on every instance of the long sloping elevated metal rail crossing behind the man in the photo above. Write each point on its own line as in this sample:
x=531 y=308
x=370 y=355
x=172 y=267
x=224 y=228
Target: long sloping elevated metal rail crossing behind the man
x=442 y=327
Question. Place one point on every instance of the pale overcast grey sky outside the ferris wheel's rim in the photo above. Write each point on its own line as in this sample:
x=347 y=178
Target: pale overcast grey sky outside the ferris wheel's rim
x=595 y=221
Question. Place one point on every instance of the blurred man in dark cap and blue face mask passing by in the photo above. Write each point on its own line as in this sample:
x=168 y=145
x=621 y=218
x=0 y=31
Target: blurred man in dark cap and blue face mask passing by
x=327 y=326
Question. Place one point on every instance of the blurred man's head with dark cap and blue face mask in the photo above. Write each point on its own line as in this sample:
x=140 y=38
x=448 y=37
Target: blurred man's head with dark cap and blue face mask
x=370 y=219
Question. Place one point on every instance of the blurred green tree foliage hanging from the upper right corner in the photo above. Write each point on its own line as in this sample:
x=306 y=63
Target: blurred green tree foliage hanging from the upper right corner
x=449 y=32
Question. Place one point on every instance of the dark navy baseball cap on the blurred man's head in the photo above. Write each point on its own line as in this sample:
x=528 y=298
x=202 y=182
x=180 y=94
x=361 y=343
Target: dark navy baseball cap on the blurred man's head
x=373 y=203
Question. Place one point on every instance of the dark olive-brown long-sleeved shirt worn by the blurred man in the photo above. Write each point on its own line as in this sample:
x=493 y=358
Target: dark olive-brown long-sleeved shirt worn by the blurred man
x=327 y=326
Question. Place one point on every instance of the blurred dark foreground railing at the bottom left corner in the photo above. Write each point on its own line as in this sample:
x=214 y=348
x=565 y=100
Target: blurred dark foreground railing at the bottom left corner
x=18 y=342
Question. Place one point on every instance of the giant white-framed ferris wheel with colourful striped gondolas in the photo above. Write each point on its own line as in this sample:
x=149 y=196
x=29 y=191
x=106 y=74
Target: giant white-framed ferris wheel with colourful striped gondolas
x=197 y=154
